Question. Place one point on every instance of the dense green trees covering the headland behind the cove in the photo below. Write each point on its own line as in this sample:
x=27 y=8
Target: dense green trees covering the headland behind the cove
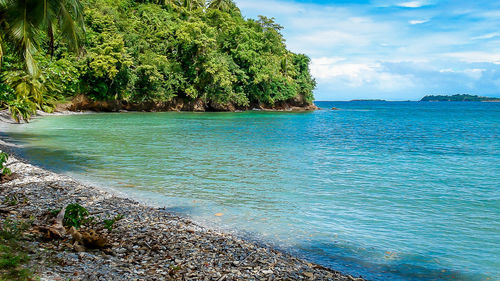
x=157 y=52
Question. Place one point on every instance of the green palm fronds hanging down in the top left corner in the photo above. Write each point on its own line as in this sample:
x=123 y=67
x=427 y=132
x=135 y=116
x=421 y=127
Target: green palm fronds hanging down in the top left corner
x=21 y=22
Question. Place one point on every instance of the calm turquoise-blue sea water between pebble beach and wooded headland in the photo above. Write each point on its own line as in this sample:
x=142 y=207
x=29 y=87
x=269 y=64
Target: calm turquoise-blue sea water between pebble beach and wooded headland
x=387 y=190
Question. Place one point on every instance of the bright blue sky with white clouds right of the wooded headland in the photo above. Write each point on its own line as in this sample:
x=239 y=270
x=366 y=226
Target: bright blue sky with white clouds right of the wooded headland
x=392 y=49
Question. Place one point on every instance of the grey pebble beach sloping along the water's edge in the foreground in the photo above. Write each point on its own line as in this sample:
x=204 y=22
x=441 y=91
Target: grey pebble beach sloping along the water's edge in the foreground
x=148 y=243
